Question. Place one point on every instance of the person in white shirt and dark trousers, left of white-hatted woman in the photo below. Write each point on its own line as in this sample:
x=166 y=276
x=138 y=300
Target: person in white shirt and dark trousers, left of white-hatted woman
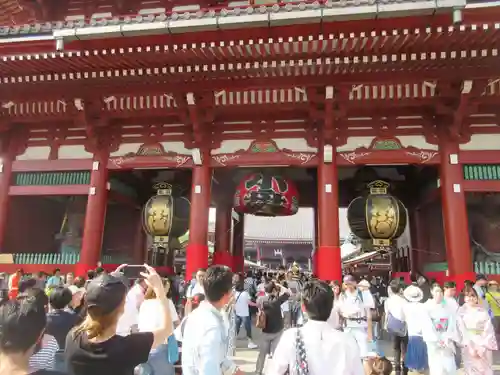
x=394 y=308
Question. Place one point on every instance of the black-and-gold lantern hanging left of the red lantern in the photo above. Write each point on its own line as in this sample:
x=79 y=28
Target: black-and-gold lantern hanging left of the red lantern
x=165 y=217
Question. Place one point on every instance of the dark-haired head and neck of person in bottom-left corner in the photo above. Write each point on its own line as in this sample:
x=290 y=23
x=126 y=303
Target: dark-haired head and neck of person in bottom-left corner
x=22 y=325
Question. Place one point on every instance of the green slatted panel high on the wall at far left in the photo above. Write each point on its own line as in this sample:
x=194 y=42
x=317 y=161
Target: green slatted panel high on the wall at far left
x=51 y=178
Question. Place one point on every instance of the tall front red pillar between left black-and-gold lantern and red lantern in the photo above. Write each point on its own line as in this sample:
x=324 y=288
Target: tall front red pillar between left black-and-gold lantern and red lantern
x=197 y=249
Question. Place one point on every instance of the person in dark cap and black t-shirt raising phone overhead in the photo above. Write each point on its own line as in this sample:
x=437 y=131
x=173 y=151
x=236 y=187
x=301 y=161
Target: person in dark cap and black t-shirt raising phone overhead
x=94 y=347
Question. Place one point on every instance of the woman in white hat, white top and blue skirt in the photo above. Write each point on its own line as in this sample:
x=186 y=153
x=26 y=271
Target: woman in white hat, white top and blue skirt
x=416 y=354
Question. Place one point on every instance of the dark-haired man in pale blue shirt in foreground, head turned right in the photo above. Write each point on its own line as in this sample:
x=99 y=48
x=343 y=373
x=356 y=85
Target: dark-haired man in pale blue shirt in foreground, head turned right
x=205 y=340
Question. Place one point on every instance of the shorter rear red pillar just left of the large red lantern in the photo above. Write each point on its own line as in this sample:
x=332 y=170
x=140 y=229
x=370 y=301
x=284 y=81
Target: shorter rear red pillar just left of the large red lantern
x=223 y=219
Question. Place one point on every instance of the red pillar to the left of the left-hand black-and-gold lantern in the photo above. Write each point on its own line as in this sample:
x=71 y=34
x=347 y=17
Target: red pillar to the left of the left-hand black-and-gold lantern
x=95 y=214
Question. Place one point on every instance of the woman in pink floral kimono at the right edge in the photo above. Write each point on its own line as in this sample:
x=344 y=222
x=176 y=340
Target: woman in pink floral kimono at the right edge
x=477 y=337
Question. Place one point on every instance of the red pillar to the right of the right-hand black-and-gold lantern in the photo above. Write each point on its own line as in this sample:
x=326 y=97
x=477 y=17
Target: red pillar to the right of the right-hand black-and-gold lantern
x=456 y=229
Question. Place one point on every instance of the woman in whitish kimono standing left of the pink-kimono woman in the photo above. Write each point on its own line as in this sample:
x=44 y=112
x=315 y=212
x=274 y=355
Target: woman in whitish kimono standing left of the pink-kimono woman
x=440 y=334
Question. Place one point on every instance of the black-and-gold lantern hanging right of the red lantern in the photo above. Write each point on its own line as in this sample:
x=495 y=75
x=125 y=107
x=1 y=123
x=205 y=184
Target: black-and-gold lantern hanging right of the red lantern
x=377 y=215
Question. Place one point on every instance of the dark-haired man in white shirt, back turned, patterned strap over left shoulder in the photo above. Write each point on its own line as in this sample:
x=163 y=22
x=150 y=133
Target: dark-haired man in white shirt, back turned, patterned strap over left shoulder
x=327 y=350
